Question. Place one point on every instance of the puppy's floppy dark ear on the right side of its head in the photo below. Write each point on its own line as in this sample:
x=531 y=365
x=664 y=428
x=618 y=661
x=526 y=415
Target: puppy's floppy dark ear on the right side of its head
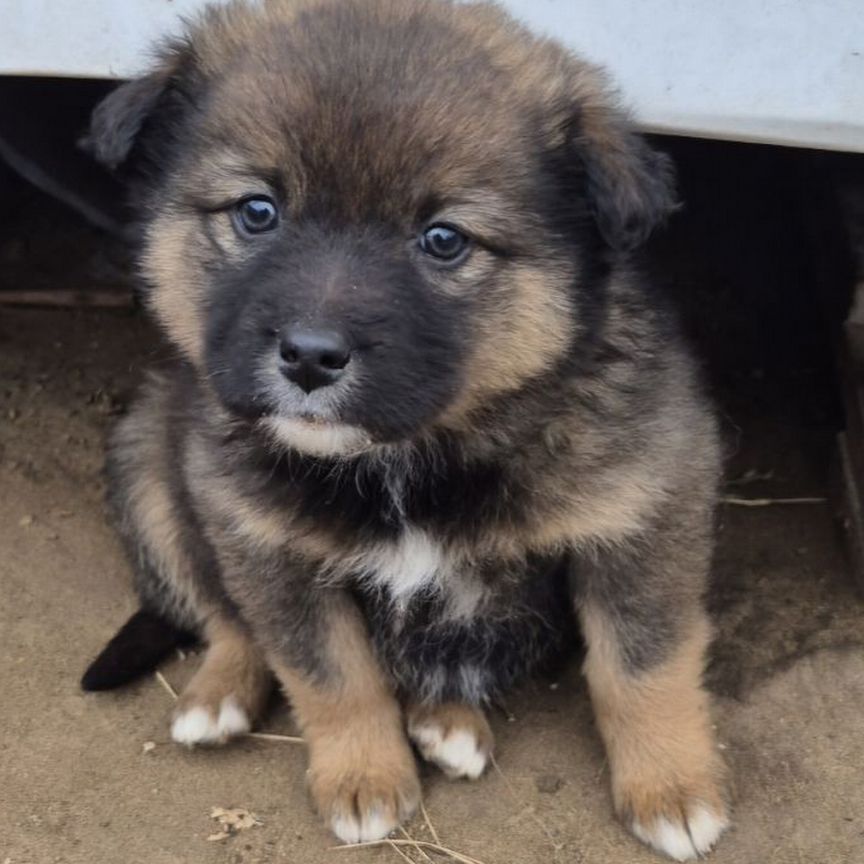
x=631 y=186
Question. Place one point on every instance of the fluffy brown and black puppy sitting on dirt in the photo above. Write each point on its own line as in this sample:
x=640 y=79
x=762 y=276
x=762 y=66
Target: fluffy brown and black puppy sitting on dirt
x=425 y=412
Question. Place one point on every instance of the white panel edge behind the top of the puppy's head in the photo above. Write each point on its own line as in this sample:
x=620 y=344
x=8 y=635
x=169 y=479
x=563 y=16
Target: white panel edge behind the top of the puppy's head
x=783 y=71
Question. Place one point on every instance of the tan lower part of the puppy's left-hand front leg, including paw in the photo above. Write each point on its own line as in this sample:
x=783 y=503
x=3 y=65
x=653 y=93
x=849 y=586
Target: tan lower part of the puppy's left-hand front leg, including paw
x=362 y=773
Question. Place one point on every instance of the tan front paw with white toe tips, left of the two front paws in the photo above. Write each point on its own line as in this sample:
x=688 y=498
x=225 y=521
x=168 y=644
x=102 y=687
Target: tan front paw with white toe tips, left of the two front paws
x=364 y=794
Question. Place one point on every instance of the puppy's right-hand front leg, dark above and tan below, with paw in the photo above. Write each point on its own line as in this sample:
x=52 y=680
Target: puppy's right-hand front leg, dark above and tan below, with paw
x=647 y=634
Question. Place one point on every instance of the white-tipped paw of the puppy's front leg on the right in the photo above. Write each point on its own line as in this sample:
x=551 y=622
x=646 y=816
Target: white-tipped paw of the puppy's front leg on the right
x=681 y=822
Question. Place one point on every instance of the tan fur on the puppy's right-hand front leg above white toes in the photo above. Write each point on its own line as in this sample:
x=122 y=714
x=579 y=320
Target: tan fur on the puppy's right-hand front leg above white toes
x=656 y=727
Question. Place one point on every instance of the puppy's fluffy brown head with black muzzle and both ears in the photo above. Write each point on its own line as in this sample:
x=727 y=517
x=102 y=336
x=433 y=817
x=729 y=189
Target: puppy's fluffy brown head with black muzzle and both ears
x=368 y=218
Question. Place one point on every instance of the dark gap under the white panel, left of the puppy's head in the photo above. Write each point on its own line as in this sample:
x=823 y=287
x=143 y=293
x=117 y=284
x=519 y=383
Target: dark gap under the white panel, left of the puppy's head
x=62 y=224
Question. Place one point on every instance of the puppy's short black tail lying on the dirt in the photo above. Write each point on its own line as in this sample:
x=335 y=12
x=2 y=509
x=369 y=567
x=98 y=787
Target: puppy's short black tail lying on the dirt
x=140 y=645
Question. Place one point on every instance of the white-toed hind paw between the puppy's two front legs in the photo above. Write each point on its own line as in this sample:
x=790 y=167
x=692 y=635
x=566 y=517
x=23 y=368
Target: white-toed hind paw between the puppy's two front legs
x=456 y=737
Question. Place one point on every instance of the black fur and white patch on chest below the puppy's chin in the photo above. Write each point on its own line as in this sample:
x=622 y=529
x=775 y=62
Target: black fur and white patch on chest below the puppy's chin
x=417 y=533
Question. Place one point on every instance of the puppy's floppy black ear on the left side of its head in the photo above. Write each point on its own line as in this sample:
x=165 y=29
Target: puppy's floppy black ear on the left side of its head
x=118 y=120
